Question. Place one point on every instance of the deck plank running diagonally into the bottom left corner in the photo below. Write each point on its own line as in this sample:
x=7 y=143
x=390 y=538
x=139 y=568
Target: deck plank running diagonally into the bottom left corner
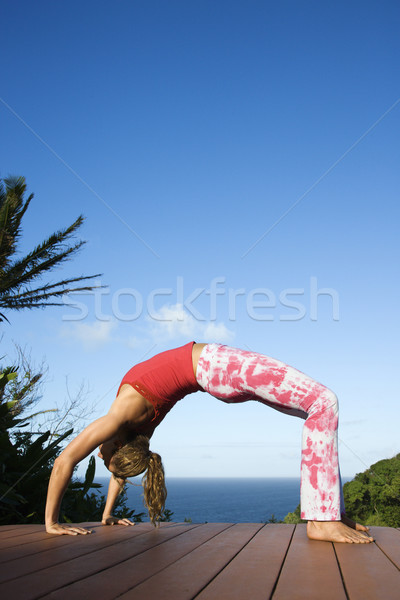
x=48 y=579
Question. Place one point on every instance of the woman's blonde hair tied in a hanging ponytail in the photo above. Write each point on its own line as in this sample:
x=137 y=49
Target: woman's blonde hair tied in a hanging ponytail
x=134 y=458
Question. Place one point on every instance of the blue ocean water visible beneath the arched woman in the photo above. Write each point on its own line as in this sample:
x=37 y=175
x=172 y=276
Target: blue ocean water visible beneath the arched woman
x=238 y=500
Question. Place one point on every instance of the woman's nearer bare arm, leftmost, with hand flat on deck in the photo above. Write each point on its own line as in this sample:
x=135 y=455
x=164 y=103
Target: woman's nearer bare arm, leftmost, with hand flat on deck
x=95 y=434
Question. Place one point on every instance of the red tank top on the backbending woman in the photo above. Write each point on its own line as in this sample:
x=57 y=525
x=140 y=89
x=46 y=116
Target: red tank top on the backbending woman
x=164 y=379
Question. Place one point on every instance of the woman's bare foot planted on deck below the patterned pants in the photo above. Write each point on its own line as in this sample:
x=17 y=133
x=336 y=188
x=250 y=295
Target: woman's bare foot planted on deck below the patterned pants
x=337 y=531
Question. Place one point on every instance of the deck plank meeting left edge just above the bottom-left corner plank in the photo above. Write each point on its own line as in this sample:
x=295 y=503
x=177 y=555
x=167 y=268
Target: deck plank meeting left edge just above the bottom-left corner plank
x=58 y=549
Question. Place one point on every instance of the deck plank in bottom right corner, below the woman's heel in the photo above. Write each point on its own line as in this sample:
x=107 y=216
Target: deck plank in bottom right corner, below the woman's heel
x=367 y=573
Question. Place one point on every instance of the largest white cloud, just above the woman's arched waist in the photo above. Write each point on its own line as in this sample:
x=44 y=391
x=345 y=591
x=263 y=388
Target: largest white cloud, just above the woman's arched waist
x=173 y=321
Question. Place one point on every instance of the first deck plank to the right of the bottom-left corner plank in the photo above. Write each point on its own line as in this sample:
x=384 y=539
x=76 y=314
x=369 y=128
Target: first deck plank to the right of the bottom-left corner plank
x=109 y=583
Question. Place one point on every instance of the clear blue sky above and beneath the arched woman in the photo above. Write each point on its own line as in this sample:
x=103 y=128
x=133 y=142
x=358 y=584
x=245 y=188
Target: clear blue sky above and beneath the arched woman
x=231 y=159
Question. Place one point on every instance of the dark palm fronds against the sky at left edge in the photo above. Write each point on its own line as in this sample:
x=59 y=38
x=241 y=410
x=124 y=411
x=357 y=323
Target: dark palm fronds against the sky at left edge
x=17 y=276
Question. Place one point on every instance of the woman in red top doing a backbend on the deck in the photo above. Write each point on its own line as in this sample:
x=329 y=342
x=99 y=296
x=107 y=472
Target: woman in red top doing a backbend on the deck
x=150 y=389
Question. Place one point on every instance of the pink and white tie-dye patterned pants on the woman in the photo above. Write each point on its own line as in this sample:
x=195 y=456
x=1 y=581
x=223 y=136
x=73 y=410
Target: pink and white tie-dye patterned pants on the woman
x=234 y=375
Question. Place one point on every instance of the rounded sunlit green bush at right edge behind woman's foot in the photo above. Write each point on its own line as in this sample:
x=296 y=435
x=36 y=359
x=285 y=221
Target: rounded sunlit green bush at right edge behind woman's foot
x=373 y=497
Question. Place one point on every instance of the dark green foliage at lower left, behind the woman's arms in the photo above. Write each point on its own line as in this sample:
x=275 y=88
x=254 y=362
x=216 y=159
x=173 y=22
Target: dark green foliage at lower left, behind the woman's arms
x=26 y=461
